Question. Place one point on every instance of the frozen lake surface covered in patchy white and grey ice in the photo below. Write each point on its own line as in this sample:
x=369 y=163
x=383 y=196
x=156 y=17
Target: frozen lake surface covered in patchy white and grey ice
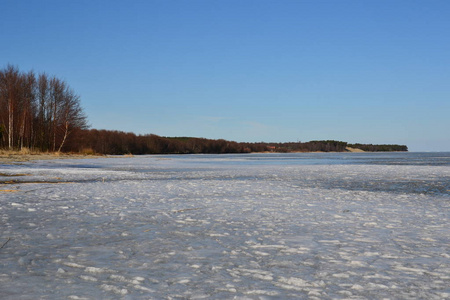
x=259 y=226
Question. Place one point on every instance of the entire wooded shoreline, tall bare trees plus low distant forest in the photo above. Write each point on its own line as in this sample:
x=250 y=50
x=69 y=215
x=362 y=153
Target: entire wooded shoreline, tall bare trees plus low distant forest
x=42 y=113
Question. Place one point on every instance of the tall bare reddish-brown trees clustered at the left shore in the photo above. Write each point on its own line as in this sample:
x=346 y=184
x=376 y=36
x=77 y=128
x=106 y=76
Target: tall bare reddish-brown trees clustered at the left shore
x=38 y=112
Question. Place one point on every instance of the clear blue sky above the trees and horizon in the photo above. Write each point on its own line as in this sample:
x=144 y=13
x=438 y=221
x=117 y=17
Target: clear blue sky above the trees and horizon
x=246 y=70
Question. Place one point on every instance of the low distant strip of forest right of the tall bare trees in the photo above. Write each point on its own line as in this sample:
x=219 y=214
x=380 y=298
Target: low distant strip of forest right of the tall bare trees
x=117 y=142
